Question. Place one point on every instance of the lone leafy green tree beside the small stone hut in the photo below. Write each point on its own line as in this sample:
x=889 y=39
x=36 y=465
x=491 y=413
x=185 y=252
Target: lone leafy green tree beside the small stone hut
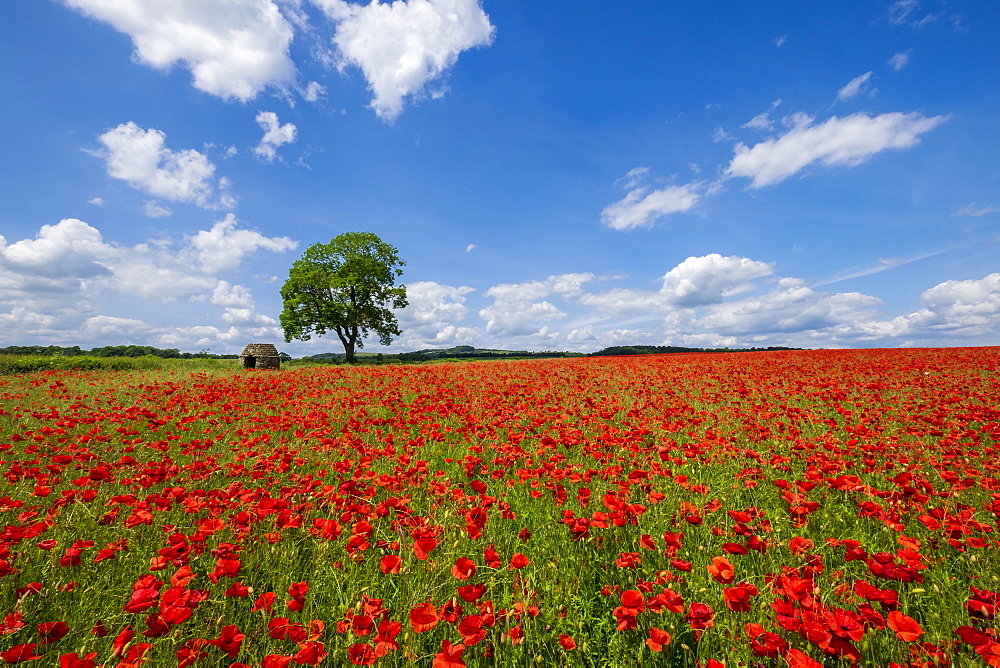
x=348 y=286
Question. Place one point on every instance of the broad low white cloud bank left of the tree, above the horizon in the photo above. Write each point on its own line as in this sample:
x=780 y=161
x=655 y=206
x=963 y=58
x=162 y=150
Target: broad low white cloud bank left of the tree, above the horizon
x=67 y=283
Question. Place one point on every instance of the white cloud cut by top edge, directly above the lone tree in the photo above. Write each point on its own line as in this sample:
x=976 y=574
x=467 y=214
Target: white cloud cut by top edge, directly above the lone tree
x=404 y=46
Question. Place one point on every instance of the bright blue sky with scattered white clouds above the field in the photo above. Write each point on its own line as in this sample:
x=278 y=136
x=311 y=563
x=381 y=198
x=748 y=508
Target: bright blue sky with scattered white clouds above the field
x=559 y=176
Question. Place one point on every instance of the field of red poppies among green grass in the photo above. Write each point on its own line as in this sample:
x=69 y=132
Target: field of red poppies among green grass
x=799 y=508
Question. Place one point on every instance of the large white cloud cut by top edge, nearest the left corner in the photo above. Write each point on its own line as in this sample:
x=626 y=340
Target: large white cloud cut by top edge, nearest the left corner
x=233 y=48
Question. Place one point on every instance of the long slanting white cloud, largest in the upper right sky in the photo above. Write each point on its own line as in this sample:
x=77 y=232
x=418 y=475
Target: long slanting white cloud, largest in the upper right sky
x=845 y=141
